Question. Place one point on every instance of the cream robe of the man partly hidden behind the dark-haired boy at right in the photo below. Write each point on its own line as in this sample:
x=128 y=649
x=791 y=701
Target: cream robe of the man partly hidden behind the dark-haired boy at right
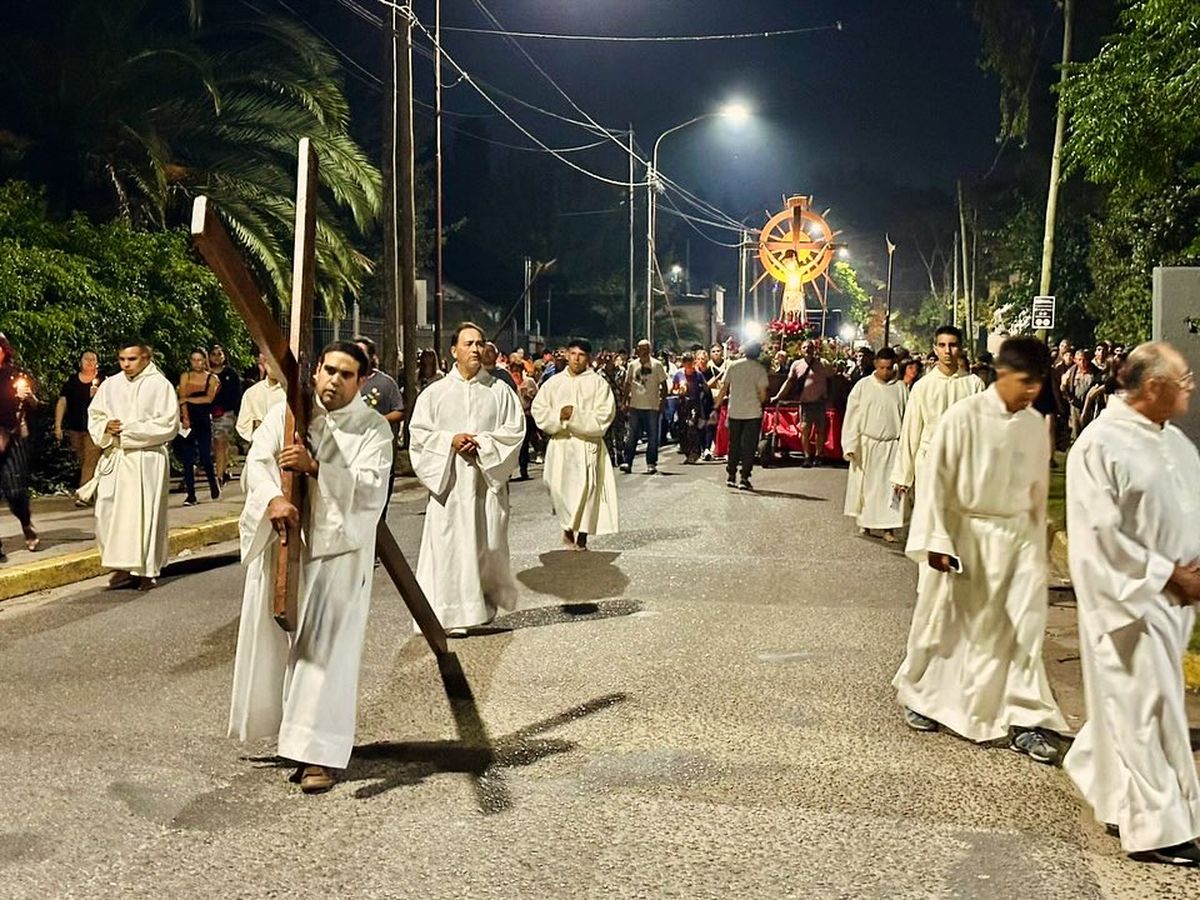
x=929 y=399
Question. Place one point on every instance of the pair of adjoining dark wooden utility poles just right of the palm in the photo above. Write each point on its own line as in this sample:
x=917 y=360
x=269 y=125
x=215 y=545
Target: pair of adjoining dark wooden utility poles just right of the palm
x=400 y=209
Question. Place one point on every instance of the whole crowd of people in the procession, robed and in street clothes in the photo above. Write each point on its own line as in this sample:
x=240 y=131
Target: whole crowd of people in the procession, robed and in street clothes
x=958 y=454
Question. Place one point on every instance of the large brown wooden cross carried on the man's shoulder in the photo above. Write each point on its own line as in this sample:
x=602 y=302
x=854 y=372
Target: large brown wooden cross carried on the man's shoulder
x=289 y=361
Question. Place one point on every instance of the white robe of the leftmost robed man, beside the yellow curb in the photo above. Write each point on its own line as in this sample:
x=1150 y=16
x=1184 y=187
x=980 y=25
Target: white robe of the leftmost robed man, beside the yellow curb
x=133 y=477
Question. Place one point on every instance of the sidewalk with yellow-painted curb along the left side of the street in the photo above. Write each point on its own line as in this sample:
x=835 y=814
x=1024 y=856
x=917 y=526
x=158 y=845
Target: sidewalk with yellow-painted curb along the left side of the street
x=69 y=554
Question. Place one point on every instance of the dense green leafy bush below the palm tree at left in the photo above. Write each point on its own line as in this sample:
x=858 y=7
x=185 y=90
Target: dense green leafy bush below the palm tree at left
x=75 y=286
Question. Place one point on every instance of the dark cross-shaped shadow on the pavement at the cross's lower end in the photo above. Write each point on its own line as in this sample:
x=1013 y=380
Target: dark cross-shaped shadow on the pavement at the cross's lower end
x=392 y=765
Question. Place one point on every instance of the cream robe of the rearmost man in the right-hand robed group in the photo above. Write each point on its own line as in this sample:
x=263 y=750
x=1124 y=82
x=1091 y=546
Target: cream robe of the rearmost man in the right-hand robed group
x=871 y=440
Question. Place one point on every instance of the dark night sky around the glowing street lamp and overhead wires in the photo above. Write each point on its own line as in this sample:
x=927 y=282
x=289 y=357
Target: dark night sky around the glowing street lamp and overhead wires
x=895 y=99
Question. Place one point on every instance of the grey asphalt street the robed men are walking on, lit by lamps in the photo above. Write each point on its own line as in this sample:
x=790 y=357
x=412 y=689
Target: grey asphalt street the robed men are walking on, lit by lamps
x=698 y=709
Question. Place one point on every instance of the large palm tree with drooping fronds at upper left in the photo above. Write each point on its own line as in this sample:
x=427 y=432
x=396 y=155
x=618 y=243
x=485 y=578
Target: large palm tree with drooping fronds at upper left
x=134 y=107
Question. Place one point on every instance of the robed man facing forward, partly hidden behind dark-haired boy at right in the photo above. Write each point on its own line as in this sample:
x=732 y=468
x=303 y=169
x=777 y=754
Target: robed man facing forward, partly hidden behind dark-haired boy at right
x=935 y=393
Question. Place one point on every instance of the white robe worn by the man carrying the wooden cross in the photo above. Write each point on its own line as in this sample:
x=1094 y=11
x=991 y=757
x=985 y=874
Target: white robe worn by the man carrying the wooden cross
x=304 y=687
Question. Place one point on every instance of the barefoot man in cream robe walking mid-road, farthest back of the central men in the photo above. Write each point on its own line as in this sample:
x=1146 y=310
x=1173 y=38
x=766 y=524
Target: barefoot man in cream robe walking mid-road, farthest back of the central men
x=575 y=410
